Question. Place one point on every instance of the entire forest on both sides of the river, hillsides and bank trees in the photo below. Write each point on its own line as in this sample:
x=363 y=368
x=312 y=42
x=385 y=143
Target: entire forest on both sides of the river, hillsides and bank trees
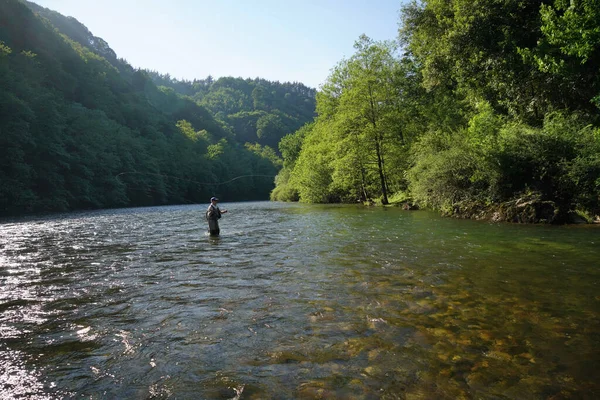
x=484 y=109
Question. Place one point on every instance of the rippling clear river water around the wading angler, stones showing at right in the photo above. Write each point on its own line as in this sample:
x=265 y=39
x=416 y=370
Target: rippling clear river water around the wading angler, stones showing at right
x=296 y=301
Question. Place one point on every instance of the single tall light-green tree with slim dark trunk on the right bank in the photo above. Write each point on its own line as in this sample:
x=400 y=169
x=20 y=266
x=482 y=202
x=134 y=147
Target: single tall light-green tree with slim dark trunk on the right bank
x=367 y=108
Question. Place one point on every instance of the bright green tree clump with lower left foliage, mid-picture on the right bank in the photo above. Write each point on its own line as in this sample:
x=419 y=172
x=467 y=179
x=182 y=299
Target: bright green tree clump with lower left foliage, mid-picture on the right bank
x=357 y=146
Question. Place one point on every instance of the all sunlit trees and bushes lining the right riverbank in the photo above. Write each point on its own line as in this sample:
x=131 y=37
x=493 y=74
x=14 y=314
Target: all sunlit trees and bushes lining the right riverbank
x=484 y=109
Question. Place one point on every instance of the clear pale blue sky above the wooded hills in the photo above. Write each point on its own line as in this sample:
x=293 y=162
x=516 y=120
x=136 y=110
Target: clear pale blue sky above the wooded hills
x=278 y=40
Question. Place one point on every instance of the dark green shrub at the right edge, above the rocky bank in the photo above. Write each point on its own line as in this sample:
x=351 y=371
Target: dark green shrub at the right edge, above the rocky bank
x=560 y=161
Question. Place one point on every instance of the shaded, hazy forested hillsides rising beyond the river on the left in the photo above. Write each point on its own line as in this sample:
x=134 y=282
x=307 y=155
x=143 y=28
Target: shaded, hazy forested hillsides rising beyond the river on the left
x=82 y=129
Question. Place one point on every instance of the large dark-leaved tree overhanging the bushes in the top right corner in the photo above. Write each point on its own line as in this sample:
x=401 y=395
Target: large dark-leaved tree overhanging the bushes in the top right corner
x=502 y=50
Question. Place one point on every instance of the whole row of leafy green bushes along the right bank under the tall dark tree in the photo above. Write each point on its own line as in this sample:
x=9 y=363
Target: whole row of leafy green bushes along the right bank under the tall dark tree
x=494 y=161
